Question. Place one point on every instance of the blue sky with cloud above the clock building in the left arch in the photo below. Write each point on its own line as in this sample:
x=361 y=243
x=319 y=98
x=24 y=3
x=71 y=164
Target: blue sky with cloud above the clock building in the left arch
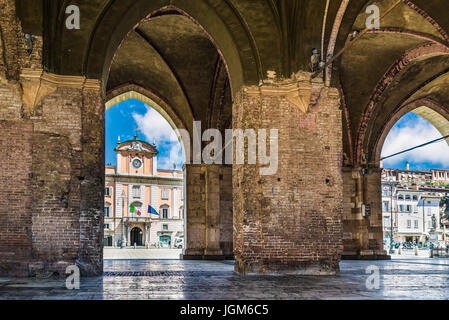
x=131 y=116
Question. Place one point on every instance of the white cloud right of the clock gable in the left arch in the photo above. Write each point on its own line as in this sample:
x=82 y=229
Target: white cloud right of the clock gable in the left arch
x=156 y=129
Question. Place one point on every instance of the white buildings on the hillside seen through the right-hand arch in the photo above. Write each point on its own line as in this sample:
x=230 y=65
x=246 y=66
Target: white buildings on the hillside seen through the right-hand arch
x=412 y=198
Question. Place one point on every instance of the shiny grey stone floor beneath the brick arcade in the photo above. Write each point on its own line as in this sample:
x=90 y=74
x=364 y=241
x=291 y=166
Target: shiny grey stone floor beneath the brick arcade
x=402 y=278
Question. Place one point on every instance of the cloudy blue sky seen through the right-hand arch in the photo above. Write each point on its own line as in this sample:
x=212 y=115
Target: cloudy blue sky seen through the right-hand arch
x=410 y=131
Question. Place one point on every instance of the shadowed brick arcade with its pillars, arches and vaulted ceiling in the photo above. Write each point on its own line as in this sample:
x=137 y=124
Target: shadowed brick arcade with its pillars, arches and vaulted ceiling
x=229 y=64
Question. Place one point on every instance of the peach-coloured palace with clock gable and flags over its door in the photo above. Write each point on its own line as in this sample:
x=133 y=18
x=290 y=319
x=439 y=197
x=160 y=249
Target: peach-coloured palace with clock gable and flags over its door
x=144 y=206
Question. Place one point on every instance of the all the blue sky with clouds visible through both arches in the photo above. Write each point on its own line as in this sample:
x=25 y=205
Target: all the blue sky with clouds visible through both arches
x=125 y=118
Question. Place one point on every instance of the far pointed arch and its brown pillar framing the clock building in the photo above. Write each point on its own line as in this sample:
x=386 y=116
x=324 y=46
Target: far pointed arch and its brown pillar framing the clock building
x=207 y=189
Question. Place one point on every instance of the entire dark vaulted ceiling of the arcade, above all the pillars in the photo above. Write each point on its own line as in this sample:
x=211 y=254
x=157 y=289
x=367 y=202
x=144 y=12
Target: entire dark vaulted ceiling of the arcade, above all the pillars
x=196 y=54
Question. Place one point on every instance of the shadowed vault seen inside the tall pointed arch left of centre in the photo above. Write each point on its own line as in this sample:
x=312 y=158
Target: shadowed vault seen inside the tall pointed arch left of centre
x=172 y=57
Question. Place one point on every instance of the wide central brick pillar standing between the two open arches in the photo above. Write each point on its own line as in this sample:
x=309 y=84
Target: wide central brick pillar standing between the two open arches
x=290 y=222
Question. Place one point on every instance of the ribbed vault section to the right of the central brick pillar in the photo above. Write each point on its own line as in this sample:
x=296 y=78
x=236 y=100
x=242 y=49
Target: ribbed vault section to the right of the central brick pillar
x=387 y=69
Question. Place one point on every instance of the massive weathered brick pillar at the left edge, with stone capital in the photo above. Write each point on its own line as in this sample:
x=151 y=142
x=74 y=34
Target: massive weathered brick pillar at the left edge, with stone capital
x=52 y=165
